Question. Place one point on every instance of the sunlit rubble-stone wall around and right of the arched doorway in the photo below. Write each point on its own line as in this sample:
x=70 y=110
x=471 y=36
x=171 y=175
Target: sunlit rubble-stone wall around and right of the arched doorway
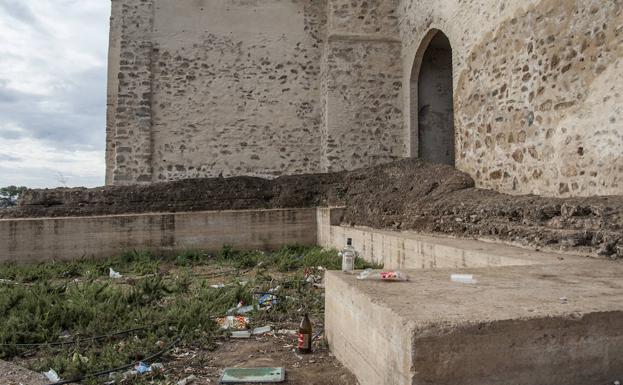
x=537 y=90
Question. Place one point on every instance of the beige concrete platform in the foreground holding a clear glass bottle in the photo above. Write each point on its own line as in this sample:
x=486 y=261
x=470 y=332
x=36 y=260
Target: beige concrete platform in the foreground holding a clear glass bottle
x=510 y=328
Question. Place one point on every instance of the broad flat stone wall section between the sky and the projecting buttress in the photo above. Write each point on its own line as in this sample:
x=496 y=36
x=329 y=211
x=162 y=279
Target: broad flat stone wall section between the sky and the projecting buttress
x=232 y=88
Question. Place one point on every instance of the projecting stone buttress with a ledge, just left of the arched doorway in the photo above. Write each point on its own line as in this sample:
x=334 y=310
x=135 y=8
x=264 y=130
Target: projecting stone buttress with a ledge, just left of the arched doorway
x=361 y=86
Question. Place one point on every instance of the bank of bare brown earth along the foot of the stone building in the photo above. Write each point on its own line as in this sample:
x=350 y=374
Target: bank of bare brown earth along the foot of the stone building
x=404 y=195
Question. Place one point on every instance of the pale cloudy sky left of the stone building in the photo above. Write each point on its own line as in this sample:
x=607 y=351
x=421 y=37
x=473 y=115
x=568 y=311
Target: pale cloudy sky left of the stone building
x=53 y=92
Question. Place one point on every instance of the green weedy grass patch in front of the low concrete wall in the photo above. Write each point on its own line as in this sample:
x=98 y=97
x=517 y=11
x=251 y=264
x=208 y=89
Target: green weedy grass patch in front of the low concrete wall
x=166 y=296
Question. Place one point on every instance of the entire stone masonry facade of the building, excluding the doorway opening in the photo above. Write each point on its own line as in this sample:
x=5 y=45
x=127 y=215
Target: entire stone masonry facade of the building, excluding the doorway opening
x=201 y=88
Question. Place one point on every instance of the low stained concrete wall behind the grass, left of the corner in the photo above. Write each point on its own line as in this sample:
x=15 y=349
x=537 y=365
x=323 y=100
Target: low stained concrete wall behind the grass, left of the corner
x=45 y=239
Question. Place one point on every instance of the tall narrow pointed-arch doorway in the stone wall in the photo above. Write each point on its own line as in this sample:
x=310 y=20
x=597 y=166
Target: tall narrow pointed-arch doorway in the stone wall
x=432 y=109
